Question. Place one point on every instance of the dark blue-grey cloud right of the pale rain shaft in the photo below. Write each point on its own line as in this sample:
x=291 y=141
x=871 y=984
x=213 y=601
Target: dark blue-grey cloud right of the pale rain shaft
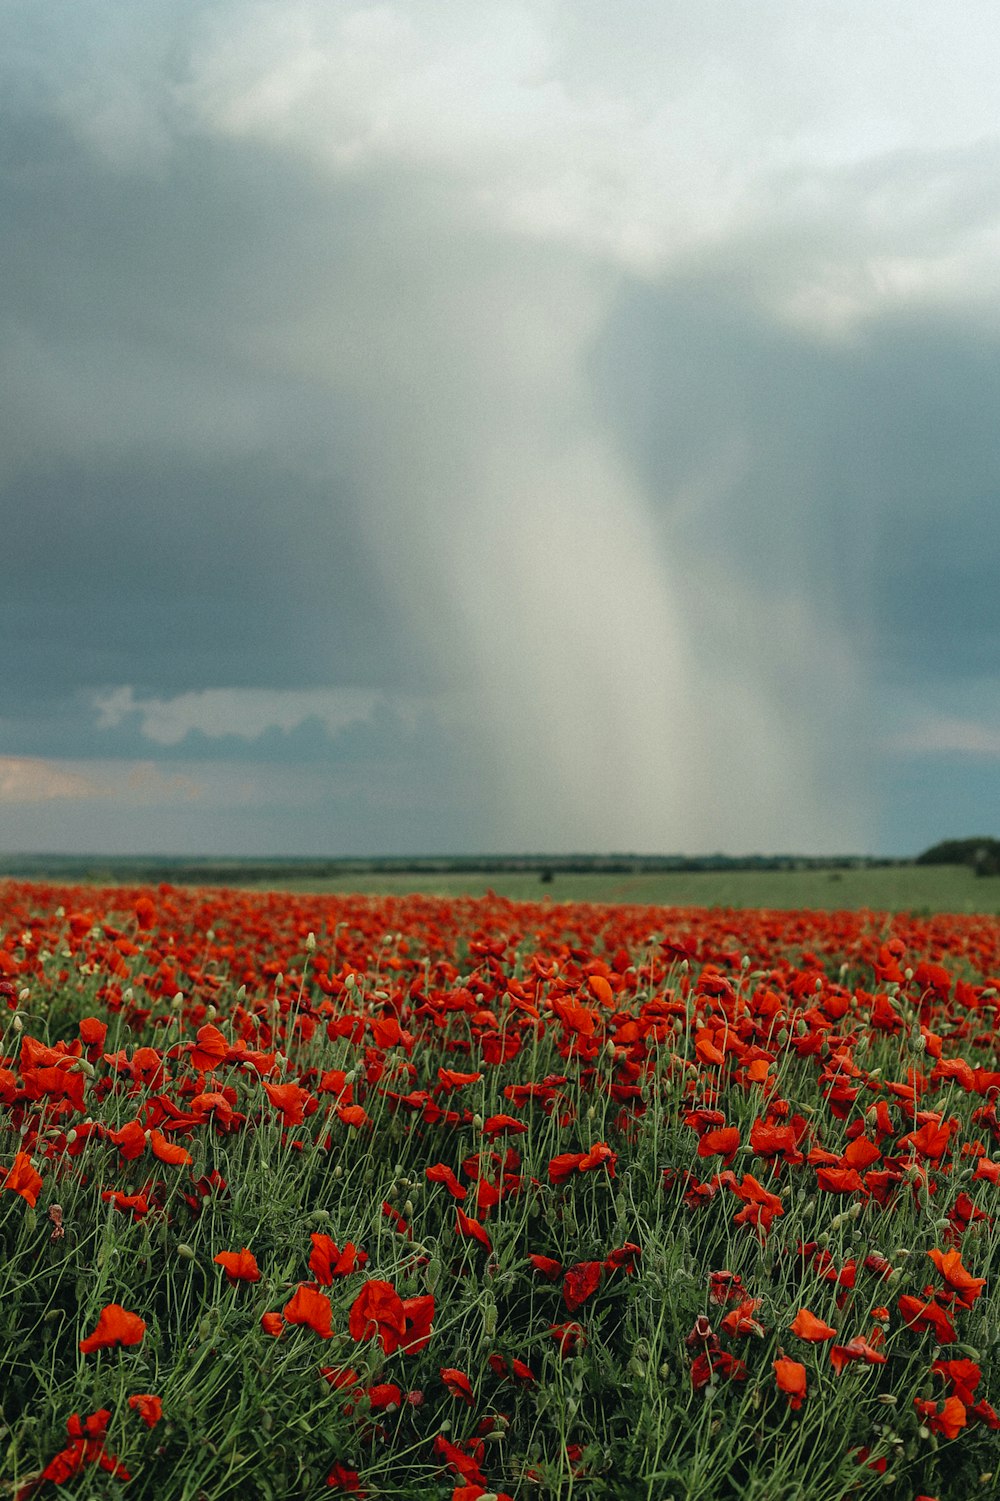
x=860 y=475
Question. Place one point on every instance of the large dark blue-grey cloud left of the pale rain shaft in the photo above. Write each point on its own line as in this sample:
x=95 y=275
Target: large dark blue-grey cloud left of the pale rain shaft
x=176 y=513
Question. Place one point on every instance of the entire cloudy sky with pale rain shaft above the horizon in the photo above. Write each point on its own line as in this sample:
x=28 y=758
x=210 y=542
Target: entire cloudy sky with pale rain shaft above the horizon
x=549 y=426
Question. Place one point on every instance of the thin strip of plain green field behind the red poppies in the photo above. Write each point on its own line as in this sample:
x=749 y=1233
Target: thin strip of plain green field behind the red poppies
x=894 y=889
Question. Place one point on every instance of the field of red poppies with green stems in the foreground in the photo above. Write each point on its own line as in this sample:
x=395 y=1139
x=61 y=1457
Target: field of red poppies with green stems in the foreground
x=418 y=1199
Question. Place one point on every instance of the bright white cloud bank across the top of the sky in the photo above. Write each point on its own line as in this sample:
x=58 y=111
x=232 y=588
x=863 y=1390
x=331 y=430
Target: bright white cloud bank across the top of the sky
x=645 y=134
